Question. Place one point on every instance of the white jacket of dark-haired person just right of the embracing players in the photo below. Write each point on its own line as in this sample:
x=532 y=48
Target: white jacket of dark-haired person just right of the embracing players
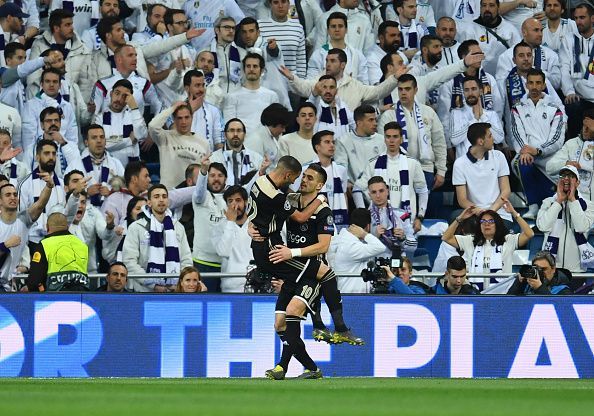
x=348 y=254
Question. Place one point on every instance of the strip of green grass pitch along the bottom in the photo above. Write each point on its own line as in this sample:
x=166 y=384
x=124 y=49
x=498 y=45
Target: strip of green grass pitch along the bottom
x=331 y=396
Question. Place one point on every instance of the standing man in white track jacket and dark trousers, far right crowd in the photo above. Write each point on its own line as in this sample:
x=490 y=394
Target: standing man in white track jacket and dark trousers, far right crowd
x=538 y=129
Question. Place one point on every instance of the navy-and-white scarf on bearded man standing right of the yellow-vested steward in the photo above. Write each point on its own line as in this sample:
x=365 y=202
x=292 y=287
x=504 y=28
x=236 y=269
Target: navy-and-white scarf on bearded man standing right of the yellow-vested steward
x=163 y=253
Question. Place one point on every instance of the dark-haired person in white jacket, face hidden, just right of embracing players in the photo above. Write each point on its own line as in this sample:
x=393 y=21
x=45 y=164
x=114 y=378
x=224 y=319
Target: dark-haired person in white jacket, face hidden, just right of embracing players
x=352 y=248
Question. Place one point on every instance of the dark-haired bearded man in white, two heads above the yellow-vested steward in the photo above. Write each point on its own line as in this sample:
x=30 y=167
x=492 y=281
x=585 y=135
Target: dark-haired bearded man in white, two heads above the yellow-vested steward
x=68 y=154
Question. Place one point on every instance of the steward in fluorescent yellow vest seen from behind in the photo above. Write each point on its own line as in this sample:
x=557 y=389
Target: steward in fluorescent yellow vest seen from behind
x=59 y=262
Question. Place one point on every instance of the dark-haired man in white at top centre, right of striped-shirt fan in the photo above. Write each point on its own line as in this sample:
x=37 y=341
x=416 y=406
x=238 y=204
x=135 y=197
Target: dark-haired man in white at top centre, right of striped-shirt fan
x=356 y=66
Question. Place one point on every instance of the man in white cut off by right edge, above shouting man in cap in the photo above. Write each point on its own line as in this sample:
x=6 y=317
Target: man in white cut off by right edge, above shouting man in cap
x=578 y=152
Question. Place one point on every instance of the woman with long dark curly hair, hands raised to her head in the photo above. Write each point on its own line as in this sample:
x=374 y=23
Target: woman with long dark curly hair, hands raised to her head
x=491 y=248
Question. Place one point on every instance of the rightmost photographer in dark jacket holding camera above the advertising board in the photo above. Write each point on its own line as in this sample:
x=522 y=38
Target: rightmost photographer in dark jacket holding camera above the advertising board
x=543 y=278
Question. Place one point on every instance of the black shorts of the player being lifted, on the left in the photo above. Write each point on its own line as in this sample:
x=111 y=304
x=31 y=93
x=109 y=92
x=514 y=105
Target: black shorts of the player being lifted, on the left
x=293 y=270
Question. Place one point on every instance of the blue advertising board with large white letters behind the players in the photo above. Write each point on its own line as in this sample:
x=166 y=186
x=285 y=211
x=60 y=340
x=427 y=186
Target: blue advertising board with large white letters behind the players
x=102 y=335
